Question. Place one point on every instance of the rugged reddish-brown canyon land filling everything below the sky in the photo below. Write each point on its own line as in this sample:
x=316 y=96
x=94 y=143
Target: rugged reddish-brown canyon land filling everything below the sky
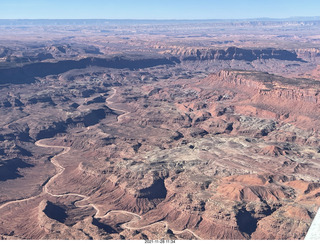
x=177 y=130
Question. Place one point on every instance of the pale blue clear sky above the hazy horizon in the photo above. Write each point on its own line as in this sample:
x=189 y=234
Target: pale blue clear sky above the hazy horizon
x=156 y=9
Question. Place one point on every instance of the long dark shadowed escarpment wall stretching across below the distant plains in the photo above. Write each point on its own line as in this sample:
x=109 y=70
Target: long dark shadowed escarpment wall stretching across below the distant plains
x=28 y=72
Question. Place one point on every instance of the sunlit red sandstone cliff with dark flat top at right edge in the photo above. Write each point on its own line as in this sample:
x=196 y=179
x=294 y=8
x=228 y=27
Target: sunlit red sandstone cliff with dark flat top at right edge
x=278 y=93
